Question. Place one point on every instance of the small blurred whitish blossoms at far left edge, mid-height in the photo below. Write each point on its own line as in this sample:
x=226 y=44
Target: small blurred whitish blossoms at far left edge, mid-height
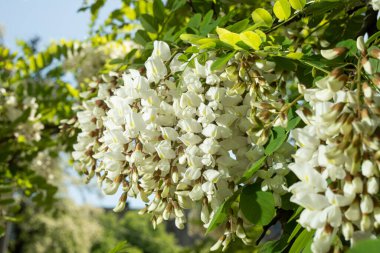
x=29 y=129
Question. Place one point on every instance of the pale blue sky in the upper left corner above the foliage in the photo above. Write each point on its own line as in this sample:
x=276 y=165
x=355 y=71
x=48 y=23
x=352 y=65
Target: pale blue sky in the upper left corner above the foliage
x=49 y=19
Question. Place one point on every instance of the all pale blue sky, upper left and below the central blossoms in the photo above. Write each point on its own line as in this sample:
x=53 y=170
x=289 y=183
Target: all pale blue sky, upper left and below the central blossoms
x=54 y=20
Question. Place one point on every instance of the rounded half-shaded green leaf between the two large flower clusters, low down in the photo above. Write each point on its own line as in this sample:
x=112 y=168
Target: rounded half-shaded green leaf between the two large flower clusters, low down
x=256 y=205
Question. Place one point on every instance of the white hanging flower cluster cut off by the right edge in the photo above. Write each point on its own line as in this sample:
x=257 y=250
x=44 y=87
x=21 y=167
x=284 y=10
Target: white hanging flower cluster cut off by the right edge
x=338 y=162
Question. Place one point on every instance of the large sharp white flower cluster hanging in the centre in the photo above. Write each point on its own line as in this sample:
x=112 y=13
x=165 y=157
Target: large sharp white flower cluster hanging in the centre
x=176 y=133
